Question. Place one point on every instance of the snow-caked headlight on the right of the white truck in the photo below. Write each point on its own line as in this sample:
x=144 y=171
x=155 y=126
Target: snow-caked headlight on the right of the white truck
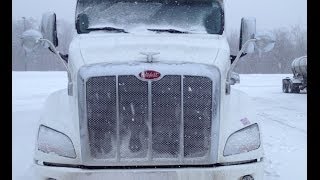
x=243 y=140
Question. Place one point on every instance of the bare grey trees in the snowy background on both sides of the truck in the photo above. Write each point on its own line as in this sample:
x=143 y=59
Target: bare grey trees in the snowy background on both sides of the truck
x=290 y=43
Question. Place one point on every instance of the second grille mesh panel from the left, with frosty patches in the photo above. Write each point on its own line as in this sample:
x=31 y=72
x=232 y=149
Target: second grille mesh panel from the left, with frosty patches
x=133 y=116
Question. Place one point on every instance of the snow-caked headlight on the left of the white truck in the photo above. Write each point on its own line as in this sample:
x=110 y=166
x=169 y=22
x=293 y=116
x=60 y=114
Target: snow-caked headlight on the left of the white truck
x=52 y=141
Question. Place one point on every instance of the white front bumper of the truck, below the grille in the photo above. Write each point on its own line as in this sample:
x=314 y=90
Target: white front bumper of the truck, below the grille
x=232 y=172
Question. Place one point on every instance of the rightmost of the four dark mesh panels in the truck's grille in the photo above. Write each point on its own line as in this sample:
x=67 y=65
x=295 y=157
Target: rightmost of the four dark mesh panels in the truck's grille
x=197 y=115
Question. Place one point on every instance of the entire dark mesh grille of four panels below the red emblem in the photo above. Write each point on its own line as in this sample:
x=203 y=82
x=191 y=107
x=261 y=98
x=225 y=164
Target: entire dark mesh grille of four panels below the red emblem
x=127 y=118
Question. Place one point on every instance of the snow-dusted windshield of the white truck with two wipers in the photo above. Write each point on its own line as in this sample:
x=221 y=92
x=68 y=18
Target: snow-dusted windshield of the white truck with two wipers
x=160 y=16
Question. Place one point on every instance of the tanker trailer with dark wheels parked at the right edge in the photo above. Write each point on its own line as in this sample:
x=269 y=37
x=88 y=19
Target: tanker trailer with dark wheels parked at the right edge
x=299 y=80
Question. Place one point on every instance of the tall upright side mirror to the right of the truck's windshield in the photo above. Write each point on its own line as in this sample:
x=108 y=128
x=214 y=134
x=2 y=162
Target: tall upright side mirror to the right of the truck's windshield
x=247 y=32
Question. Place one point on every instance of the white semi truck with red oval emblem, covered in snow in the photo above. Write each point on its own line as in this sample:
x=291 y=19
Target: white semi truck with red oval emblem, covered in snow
x=149 y=95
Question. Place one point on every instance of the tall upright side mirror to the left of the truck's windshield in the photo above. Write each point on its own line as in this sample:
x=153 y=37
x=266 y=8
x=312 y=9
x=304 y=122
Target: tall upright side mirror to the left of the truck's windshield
x=49 y=27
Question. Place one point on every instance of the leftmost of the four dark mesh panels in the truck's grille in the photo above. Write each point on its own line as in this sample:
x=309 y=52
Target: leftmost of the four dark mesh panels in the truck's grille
x=101 y=114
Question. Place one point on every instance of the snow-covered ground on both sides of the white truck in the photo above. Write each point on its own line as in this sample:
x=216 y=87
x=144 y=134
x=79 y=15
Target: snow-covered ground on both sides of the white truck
x=283 y=117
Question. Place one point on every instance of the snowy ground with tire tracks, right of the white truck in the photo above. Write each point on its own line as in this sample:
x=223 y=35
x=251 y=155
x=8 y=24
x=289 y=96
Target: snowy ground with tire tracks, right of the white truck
x=284 y=125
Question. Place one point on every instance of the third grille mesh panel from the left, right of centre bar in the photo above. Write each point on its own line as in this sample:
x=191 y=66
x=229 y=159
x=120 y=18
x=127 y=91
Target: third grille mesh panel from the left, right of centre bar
x=166 y=117
